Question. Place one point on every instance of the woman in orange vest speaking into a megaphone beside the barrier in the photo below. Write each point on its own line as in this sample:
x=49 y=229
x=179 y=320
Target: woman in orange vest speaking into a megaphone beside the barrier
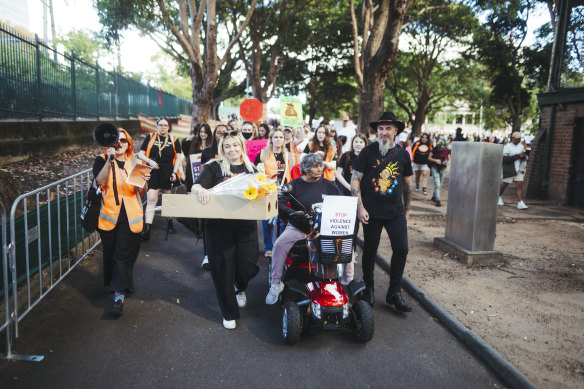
x=120 y=218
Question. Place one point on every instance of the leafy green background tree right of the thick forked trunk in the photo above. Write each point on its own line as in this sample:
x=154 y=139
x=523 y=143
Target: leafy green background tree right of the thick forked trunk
x=430 y=73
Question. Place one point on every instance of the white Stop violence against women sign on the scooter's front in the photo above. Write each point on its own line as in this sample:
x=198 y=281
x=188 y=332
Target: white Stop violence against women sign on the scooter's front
x=339 y=214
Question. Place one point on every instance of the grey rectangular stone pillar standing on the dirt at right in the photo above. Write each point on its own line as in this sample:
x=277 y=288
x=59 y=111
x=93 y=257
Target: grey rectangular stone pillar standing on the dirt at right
x=473 y=190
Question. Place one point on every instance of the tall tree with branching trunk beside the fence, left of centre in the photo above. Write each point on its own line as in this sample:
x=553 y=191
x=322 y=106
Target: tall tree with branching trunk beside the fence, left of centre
x=185 y=29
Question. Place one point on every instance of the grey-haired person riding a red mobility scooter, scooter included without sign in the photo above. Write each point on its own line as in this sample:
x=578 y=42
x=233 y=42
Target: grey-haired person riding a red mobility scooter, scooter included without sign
x=311 y=291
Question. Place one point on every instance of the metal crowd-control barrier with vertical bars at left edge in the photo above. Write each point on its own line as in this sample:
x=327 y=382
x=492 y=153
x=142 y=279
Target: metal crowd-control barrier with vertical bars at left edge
x=46 y=243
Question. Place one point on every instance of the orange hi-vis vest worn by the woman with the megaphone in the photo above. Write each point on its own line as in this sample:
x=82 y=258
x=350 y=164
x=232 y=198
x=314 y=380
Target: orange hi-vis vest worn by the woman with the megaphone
x=127 y=195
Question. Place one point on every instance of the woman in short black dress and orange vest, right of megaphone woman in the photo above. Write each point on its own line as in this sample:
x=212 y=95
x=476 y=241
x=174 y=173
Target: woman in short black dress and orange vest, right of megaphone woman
x=162 y=152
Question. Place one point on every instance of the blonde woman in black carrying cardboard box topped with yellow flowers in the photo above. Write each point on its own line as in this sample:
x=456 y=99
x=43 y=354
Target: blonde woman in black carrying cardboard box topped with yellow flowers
x=233 y=244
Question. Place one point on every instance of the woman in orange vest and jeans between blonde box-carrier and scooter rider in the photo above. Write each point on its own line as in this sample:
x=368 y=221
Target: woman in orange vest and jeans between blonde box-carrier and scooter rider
x=277 y=165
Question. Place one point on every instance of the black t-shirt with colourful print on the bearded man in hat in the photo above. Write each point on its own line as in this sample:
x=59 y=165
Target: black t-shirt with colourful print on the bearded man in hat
x=382 y=192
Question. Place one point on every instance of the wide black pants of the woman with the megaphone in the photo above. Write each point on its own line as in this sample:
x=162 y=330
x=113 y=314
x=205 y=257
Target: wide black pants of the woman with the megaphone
x=120 y=251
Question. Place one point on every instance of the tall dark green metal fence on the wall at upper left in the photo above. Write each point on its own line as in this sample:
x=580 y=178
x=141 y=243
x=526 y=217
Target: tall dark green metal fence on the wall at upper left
x=39 y=83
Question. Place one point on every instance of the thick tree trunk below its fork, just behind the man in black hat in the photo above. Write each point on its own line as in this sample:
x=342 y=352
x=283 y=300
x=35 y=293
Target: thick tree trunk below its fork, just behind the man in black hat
x=371 y=99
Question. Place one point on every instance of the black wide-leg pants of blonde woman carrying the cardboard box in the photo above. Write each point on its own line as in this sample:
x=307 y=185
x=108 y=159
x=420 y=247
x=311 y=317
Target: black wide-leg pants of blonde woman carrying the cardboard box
x=233 y=254
